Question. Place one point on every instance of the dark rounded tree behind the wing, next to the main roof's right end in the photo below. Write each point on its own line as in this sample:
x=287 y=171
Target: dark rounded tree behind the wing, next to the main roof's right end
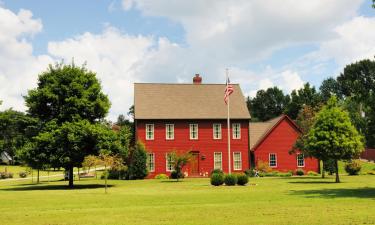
x=267 y=104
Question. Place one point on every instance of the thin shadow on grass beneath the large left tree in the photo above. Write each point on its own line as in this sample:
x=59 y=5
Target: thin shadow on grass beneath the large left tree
x=40 y=187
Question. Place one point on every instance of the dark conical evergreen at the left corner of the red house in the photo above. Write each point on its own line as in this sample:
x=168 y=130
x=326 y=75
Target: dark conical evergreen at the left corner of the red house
x=137 y=168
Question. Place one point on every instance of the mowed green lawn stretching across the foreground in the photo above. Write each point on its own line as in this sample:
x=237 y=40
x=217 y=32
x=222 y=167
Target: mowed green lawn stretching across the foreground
x=295 y=200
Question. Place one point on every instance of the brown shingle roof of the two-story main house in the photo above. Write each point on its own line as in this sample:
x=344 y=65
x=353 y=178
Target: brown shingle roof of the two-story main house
x=187 y=101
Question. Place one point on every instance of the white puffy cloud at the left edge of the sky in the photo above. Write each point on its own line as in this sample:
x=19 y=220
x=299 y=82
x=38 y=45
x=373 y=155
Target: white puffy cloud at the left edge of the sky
x=19 y=68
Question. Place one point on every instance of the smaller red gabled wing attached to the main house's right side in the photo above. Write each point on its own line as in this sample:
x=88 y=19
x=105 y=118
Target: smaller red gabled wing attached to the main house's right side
x=271 y=141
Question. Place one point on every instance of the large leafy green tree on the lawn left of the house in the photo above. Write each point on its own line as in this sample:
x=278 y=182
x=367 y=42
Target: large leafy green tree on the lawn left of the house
x=69 y=102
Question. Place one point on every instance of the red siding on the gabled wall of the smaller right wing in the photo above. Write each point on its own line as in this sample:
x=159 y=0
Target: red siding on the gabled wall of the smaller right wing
x=280 y=141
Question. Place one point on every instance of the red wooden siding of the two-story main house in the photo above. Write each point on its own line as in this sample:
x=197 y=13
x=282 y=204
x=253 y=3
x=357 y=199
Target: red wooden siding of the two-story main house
x=205 y=145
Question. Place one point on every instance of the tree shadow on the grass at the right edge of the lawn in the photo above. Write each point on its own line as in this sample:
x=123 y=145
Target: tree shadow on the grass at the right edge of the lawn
x=365 y=192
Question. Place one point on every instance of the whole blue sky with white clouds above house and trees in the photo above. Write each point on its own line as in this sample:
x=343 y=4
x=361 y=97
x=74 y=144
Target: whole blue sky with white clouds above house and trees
x=263 y=43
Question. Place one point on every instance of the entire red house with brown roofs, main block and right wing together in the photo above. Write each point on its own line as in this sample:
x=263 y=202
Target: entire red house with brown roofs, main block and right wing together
x=193 y=118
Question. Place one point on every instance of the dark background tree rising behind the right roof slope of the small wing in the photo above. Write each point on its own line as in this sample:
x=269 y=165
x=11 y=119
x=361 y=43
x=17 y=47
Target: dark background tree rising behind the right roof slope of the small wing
x=304 y=96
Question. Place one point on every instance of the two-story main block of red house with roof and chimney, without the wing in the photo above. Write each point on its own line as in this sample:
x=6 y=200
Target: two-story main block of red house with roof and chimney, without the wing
x=191 y=118
